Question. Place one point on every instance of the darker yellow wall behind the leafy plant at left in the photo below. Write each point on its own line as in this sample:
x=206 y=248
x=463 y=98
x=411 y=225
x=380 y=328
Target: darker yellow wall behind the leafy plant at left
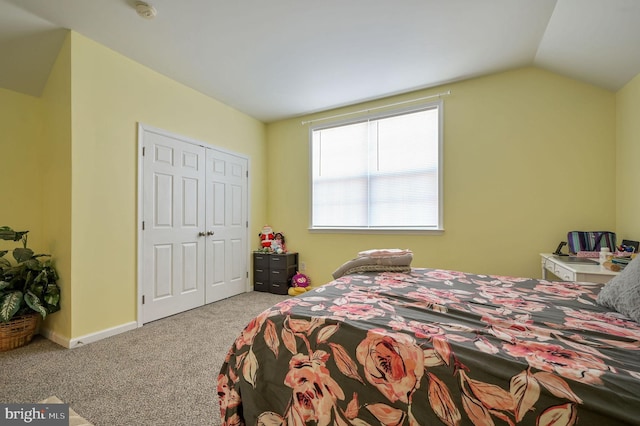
x=36 y=174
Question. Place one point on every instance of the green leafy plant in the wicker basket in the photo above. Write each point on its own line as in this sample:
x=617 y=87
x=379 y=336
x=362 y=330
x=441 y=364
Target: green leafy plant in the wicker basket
x=28 y=284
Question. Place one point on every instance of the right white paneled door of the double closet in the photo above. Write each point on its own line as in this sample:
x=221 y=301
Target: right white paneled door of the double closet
x=226 y=224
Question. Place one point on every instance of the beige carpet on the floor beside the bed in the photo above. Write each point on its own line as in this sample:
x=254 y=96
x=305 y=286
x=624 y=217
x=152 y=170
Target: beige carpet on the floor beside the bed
x=162 y=374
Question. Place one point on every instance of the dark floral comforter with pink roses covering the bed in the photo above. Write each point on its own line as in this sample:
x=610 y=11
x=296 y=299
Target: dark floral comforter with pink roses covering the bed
x=435 y=347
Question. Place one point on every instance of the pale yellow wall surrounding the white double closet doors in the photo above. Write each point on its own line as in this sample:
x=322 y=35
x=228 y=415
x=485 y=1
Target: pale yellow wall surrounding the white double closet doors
x=110 y=95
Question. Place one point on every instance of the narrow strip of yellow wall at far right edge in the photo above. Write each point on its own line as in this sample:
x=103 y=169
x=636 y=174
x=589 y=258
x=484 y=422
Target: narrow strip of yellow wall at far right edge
x=628 y=152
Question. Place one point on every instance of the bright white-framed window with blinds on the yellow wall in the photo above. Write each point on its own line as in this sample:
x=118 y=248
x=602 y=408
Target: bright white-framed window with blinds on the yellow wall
x=381 y=172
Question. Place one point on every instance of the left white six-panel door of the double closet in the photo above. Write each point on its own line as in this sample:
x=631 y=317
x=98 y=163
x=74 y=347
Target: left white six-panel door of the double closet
x=173 y=251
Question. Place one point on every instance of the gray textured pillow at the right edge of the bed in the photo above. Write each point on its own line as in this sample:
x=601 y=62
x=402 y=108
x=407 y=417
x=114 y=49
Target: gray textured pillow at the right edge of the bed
x=622 y=293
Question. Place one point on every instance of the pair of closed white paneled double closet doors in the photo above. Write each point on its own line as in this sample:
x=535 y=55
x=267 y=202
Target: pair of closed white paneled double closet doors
x=194 y=208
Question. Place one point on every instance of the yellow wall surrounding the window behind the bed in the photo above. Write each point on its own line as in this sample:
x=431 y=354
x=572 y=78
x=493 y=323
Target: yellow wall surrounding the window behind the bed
x=510 y=141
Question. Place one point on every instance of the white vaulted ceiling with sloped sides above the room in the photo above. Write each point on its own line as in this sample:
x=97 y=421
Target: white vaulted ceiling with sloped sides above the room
x=274 y=59
